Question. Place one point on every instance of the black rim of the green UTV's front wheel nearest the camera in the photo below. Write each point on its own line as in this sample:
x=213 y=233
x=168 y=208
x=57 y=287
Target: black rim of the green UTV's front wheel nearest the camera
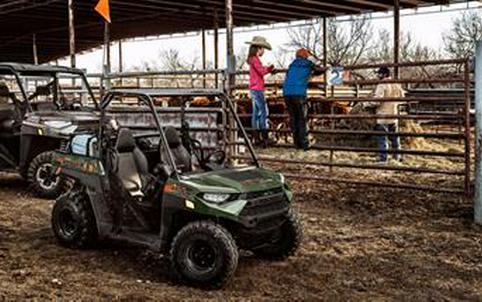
x=201 y=257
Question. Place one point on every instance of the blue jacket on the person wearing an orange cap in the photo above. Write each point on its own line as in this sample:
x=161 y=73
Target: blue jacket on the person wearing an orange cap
x=298 y=77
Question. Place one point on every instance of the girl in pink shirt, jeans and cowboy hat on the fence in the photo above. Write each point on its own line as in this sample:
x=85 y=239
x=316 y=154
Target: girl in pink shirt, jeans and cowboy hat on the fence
x=257 y=71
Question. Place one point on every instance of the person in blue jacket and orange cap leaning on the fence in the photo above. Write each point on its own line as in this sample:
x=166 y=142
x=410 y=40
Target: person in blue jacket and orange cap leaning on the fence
x=295 y=90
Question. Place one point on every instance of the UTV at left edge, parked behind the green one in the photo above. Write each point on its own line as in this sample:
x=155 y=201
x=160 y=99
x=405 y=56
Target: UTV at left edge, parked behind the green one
x=40 y=107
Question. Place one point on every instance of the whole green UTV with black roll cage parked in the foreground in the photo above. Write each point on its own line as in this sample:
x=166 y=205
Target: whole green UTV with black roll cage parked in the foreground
x=139 y=181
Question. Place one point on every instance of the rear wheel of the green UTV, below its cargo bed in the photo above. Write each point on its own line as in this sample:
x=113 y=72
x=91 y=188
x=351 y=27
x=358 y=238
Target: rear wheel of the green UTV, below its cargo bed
x=73 y=220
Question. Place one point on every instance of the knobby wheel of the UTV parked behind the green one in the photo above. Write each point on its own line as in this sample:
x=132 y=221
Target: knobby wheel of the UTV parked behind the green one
x=42 y=178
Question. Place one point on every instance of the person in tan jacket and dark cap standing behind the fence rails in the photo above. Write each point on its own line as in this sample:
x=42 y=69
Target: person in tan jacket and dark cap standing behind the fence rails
x=388 y=125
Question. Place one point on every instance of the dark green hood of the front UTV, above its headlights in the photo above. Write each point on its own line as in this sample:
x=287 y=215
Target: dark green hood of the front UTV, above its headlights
x=243 y=180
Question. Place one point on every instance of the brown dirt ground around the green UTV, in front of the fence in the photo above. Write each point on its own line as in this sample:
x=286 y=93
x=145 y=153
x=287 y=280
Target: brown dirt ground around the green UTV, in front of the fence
x=360 y=243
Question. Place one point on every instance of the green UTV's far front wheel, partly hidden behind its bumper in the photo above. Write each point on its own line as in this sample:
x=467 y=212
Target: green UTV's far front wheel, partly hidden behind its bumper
x=287 y=241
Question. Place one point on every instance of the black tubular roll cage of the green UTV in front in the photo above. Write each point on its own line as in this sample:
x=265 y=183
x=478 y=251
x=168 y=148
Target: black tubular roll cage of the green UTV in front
x=147 y=95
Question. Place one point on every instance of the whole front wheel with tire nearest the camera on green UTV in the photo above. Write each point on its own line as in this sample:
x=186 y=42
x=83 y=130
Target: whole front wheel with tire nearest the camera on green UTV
x=204 y=254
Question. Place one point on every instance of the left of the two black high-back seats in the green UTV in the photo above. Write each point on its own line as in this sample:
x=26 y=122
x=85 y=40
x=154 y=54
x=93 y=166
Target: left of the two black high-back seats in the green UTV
x=132 y=166
